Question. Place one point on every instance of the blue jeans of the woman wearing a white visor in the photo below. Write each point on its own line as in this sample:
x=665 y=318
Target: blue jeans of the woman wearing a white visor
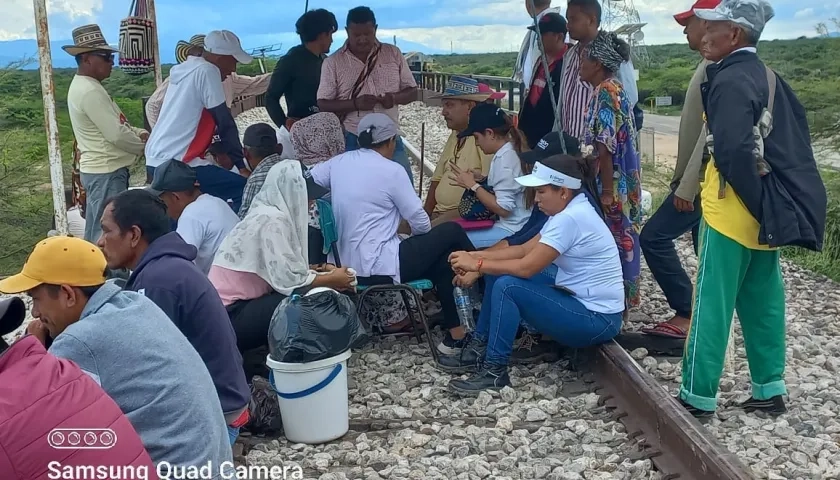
x=509 y=301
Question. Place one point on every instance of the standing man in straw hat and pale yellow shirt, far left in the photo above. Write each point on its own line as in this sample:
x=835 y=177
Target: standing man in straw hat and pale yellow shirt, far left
x=107 y=143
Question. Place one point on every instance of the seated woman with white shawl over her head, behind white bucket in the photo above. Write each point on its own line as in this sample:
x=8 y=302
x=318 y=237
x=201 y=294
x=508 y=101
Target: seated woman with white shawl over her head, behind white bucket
x=264 y=259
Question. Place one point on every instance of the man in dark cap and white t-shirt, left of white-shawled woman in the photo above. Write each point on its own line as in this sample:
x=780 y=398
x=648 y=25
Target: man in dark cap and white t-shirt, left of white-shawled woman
x=203 y=220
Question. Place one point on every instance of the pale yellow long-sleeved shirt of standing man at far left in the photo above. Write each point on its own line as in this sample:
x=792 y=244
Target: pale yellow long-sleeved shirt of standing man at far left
x=105 y=139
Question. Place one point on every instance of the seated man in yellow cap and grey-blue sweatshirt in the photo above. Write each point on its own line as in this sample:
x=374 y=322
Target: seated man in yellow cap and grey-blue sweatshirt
x=129 y=347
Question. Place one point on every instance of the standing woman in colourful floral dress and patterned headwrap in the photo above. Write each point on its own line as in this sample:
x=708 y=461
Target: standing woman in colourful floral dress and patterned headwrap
x=612 y=135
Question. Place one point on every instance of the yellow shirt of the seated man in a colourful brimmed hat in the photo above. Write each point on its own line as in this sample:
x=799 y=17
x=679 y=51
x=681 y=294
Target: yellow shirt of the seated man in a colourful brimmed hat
x=468 y=157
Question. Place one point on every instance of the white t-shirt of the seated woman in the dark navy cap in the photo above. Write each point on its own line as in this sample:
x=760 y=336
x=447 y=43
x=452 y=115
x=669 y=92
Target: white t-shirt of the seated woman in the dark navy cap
x=510 y=195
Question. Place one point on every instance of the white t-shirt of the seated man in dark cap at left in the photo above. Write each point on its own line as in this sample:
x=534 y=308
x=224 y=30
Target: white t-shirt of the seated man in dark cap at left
x=204 y=224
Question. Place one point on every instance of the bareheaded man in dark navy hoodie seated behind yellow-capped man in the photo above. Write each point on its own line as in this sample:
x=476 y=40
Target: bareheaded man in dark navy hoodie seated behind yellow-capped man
x=136 y=236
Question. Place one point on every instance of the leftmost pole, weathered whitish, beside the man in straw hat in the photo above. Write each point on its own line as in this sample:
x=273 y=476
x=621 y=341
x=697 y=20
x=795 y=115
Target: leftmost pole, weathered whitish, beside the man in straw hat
x=50 y=123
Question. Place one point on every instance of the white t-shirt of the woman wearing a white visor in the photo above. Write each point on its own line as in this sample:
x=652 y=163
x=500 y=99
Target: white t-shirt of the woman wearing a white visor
x=588 y=263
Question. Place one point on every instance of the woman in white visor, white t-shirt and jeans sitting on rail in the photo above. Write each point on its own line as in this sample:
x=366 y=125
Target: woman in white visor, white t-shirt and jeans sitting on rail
x=580 y=307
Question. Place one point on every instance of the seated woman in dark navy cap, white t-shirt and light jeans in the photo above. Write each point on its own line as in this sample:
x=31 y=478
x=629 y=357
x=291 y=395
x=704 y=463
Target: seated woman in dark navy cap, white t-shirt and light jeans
x=495 y=135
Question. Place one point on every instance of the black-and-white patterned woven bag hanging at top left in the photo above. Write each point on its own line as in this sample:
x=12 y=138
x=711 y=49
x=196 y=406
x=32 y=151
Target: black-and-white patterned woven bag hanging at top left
x=137 y=32
